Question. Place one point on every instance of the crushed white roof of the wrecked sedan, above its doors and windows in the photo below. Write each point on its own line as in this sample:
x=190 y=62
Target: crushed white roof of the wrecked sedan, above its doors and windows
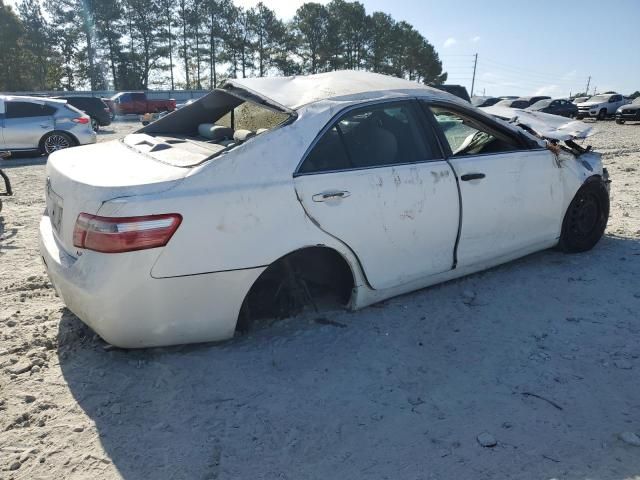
x=297 y=91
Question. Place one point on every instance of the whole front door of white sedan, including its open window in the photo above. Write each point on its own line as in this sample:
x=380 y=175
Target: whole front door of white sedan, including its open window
x=512 y=195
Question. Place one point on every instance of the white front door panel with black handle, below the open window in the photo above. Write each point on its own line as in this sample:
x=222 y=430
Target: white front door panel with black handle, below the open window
x=516 y=206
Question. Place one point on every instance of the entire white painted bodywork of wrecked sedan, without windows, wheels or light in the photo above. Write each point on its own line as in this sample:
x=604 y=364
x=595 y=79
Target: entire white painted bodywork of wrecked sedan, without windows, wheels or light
x=244 y=209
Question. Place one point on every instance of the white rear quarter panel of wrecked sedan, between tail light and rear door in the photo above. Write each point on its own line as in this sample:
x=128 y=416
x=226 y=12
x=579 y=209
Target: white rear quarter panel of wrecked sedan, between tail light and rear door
x=239 y=211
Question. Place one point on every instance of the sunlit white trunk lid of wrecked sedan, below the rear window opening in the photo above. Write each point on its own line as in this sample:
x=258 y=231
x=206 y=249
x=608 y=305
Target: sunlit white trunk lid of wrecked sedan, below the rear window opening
x=81 y=179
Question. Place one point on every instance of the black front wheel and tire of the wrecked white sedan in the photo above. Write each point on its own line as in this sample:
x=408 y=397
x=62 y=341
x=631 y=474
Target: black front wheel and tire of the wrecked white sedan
x=586 y=218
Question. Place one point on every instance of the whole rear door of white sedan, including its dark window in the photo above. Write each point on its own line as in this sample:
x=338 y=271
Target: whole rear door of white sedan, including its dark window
x=376 y=179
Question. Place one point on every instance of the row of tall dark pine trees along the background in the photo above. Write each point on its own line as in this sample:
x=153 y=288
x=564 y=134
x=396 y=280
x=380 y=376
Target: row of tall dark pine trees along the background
x=195 y=44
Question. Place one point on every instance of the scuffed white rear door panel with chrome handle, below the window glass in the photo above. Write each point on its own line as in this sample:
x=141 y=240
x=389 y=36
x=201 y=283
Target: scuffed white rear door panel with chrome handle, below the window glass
x=400 y=221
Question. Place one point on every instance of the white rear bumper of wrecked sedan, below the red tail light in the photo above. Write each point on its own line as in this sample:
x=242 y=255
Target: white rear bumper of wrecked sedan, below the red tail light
x=116 y=296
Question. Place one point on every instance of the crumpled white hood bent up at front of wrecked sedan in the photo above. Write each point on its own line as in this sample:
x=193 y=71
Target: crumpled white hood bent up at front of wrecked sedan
x=552 y=127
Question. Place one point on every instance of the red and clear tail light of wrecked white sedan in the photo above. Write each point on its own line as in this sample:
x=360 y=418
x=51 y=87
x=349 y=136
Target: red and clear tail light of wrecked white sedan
x=124 y=234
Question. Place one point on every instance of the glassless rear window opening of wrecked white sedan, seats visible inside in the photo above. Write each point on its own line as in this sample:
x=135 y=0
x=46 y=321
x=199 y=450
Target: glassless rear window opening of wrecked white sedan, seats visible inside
x=216 y=123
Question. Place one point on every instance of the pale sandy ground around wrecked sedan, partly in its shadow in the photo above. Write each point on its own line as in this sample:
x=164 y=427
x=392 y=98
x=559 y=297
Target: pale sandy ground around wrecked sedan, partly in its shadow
x=543 y=355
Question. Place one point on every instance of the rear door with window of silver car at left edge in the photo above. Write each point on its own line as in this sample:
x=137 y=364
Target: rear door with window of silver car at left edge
x=26 y=123
